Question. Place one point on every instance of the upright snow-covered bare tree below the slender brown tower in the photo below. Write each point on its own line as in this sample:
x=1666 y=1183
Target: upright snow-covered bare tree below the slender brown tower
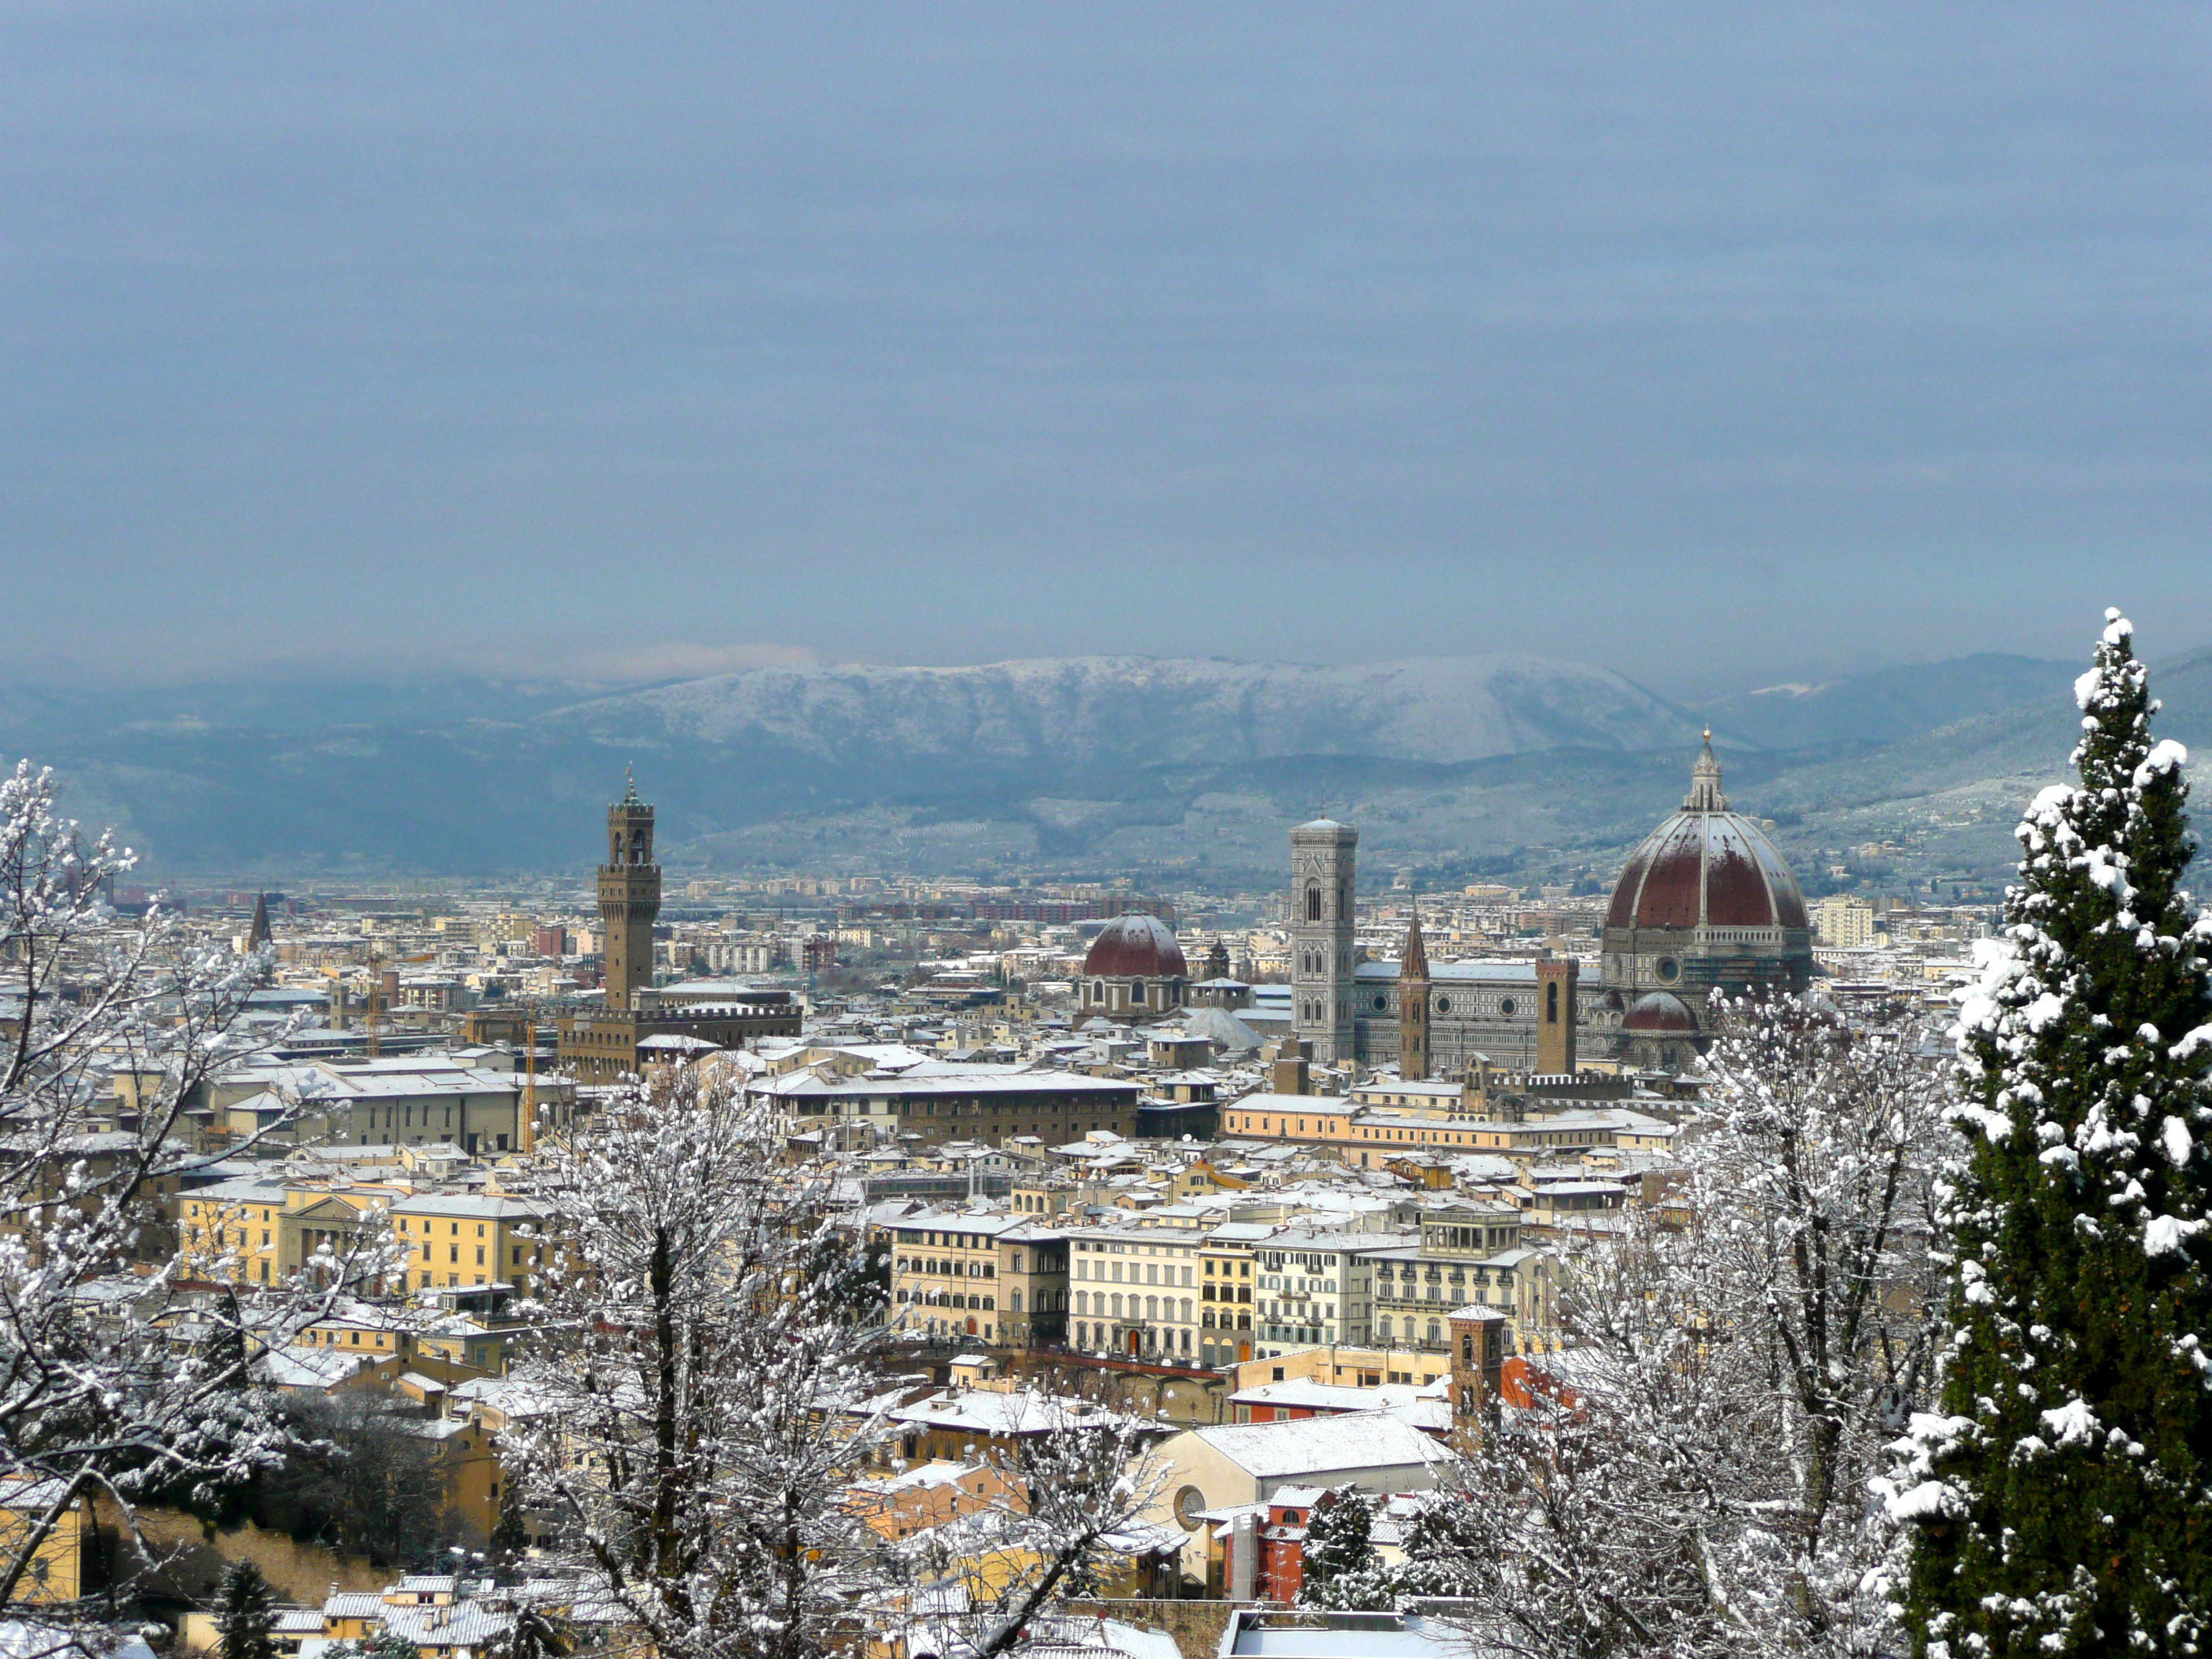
x=700 y=1379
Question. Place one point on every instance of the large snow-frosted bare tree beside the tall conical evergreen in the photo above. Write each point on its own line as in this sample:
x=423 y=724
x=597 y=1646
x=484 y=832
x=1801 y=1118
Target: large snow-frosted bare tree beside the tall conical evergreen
x=1693 y=1474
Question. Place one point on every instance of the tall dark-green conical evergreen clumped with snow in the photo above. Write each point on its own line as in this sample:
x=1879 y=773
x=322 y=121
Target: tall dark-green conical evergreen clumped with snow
x=2060 y=1499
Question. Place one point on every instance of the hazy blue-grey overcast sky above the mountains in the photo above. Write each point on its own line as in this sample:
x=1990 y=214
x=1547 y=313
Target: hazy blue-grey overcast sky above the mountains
x=1713 y=344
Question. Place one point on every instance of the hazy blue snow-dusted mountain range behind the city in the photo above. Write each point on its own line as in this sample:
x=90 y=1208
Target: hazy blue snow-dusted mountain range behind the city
x=1094 y=762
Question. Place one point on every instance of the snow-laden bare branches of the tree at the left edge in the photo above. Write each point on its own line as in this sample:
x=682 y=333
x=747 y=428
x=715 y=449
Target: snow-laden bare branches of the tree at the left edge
x=96 y=1395
